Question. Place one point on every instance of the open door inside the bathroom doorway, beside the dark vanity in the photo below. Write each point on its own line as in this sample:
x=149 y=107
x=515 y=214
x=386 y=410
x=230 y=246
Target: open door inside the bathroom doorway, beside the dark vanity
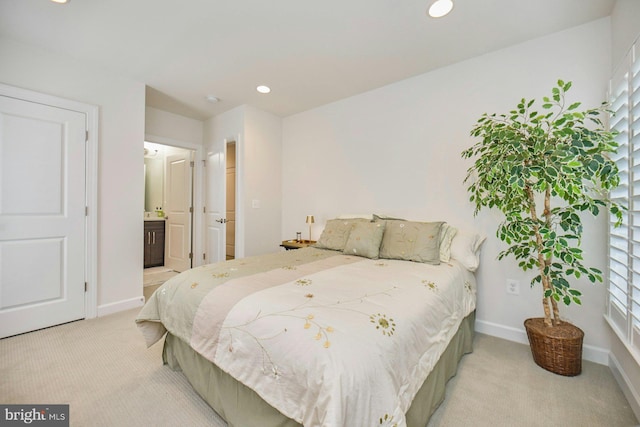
x=178 y=184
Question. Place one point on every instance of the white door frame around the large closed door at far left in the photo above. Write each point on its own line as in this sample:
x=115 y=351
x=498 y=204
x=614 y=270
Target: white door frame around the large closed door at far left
x=91 y=183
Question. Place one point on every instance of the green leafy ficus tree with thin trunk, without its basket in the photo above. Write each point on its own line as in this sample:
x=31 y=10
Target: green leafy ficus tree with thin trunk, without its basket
x=543 y=170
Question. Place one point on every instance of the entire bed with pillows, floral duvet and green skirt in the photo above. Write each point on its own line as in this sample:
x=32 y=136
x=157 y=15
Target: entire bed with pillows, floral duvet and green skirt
x=350 y=332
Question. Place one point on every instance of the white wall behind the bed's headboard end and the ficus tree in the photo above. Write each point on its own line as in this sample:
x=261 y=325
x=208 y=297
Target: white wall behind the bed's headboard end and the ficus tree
x=396 y=150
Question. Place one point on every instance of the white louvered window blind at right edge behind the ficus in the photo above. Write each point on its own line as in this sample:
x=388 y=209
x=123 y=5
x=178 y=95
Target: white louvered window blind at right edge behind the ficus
x=623 y=309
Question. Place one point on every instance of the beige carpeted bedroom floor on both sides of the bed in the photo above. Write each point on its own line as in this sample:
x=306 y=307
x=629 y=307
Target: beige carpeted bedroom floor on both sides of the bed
x=103 y=370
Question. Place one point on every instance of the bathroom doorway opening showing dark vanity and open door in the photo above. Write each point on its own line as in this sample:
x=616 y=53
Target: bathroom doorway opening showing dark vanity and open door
x=168 y=212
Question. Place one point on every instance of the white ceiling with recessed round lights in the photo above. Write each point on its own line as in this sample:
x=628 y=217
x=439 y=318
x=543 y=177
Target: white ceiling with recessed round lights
x=309 y=53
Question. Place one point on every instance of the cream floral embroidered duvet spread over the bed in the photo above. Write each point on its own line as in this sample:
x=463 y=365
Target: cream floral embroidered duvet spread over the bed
x=327 y=339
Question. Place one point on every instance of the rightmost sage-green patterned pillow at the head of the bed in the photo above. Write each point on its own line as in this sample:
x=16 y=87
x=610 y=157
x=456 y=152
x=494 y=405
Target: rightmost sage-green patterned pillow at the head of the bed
x=412 y=241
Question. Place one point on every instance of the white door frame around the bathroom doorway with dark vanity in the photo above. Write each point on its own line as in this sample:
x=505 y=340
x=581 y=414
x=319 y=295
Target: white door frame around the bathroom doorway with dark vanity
x=197 y=191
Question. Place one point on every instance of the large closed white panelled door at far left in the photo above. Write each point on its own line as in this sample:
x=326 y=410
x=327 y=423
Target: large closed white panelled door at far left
x=42 y=215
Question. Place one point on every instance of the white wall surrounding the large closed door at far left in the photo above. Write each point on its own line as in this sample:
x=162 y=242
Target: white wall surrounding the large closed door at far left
x=120 y=174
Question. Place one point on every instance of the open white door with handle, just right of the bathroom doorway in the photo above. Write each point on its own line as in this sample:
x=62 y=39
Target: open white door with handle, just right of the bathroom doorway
x=215 y=204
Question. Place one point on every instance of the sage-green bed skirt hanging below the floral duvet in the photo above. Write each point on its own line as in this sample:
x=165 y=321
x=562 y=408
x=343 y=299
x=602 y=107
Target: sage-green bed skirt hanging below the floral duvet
x=242 y=407
